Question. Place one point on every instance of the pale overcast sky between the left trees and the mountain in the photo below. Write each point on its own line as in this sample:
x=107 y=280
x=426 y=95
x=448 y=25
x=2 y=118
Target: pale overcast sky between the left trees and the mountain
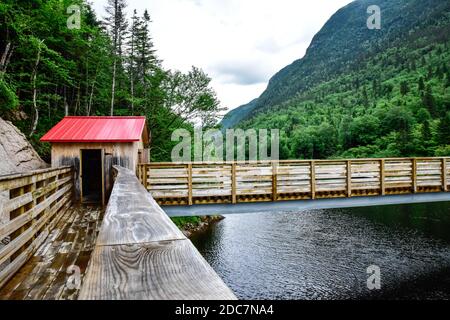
x=239 y=43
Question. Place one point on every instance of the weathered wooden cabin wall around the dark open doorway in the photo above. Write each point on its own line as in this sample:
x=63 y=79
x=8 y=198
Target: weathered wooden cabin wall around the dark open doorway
x=123 y=154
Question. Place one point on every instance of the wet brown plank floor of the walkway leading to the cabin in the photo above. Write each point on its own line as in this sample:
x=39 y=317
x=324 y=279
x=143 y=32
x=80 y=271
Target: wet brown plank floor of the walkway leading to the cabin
x=45 y=276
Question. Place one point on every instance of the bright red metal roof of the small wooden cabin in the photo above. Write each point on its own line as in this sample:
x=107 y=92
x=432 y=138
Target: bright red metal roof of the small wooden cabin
x=98 y=129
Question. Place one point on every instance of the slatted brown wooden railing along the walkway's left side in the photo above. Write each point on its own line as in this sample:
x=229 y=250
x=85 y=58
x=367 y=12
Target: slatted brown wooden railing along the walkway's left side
x=30 y=206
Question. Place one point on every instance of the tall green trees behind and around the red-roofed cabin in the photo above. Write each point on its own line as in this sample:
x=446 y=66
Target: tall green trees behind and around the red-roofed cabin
x=107 y=66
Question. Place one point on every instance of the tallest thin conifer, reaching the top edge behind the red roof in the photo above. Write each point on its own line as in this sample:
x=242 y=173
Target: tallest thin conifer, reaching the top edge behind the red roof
x=117 y=26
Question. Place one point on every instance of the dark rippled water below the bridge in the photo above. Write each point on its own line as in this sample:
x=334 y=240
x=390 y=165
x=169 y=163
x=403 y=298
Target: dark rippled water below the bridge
x=324 y=254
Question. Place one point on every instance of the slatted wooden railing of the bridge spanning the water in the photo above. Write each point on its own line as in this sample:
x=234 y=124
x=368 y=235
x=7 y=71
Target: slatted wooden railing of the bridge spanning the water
x=204 y=183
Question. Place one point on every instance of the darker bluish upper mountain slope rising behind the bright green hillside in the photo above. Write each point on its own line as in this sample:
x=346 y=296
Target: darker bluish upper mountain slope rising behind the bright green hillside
x=343 y=43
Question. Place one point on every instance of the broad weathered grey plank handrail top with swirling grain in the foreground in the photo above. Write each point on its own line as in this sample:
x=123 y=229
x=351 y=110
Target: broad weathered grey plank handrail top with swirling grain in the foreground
x=141 y=254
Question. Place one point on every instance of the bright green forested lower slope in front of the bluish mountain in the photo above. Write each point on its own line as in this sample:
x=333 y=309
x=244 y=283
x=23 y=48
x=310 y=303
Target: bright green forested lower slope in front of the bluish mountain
x=403 y=111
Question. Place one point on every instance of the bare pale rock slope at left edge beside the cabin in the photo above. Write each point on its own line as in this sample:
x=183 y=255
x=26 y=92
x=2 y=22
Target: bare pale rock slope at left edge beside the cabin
x=16 y=153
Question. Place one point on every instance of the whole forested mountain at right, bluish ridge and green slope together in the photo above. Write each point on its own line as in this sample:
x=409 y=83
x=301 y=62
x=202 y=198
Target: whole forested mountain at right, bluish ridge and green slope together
x=359 y=92
